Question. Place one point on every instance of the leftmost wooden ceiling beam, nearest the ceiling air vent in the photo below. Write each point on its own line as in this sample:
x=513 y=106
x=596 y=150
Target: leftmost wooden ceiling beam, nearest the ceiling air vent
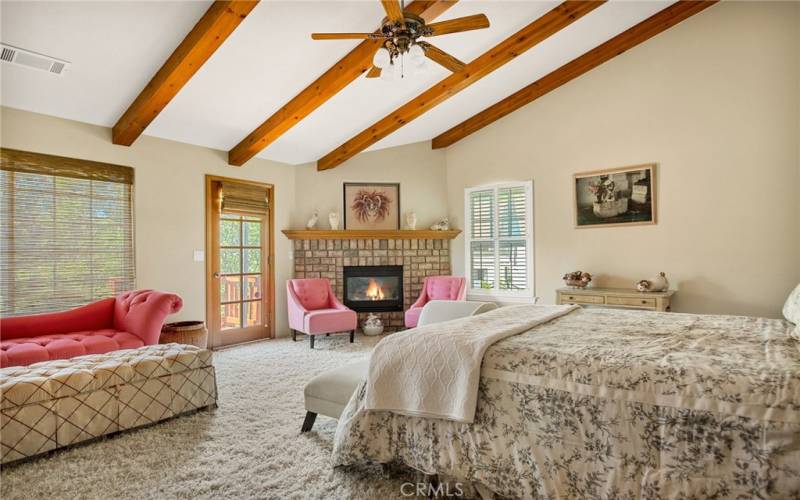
x=208 y=34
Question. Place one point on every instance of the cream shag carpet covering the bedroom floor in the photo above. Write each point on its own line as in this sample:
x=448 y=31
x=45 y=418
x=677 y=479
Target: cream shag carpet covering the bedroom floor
x=249 y=447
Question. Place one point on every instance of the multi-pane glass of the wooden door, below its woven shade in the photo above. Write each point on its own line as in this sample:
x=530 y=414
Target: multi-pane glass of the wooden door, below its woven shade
x=241 y=289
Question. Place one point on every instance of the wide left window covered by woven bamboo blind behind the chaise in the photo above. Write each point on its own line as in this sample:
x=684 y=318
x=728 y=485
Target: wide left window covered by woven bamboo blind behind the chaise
x=66 y=232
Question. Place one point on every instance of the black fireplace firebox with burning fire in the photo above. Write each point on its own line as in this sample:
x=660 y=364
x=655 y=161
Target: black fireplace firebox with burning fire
x=373 y=288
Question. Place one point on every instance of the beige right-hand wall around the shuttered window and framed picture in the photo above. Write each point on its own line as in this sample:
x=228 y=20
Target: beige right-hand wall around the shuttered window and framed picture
x=714 y=101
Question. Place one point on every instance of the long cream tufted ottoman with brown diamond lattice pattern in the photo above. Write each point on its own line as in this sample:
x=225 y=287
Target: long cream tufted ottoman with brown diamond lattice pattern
x=58 y=403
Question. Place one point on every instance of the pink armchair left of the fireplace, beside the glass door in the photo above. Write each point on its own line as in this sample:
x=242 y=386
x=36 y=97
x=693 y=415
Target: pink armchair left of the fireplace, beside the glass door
x=314 y=309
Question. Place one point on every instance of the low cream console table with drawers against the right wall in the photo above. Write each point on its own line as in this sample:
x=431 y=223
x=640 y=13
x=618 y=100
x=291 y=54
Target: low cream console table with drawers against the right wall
x=628 y=298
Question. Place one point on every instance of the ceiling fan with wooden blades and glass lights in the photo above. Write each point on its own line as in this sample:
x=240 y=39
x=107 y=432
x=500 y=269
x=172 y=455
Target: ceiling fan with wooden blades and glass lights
x=400 y=33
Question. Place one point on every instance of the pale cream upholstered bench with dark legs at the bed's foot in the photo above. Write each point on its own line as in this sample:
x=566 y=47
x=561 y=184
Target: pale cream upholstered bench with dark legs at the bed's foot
x=330 y=391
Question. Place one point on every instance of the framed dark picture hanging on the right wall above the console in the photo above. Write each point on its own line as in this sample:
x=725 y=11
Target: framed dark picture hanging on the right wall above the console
x=623 y=196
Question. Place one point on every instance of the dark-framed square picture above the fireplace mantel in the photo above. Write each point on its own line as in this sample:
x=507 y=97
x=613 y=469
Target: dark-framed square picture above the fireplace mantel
x=371 y=205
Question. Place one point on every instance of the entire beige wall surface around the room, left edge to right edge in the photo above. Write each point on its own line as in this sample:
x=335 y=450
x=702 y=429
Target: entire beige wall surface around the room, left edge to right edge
x=715 y=101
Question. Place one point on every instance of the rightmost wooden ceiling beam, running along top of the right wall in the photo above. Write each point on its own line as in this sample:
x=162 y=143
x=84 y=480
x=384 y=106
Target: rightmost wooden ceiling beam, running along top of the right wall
x=650 y=27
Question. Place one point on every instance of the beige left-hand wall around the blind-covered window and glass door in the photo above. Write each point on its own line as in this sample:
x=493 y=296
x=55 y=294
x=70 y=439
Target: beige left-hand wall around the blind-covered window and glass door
x=169 y=199
